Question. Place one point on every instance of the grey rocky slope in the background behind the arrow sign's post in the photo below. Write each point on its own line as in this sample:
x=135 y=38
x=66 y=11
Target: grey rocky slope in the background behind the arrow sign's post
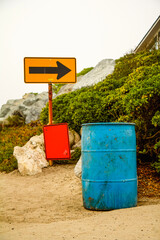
x=30 y=106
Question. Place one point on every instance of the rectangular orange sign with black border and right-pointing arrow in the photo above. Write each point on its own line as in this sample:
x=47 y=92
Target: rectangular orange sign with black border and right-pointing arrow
x=49 y=70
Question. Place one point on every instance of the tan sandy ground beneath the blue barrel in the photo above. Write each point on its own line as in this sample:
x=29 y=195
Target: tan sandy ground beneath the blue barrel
x=49 y=206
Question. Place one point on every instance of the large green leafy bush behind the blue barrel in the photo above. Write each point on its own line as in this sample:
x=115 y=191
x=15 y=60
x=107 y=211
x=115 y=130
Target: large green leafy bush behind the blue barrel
x=130 y=94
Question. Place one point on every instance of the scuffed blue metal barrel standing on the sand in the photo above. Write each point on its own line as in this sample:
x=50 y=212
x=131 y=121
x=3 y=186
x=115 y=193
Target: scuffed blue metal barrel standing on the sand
x=109 y=168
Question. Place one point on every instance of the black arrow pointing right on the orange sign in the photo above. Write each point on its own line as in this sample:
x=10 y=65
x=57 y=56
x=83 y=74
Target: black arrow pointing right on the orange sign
x=61 y=70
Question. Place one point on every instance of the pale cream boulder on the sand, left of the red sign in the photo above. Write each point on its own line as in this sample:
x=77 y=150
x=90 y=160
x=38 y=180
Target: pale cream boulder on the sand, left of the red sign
x=31 y=157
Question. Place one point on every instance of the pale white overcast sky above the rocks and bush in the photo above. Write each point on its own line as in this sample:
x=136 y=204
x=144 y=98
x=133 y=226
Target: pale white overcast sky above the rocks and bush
x=88 y=30
